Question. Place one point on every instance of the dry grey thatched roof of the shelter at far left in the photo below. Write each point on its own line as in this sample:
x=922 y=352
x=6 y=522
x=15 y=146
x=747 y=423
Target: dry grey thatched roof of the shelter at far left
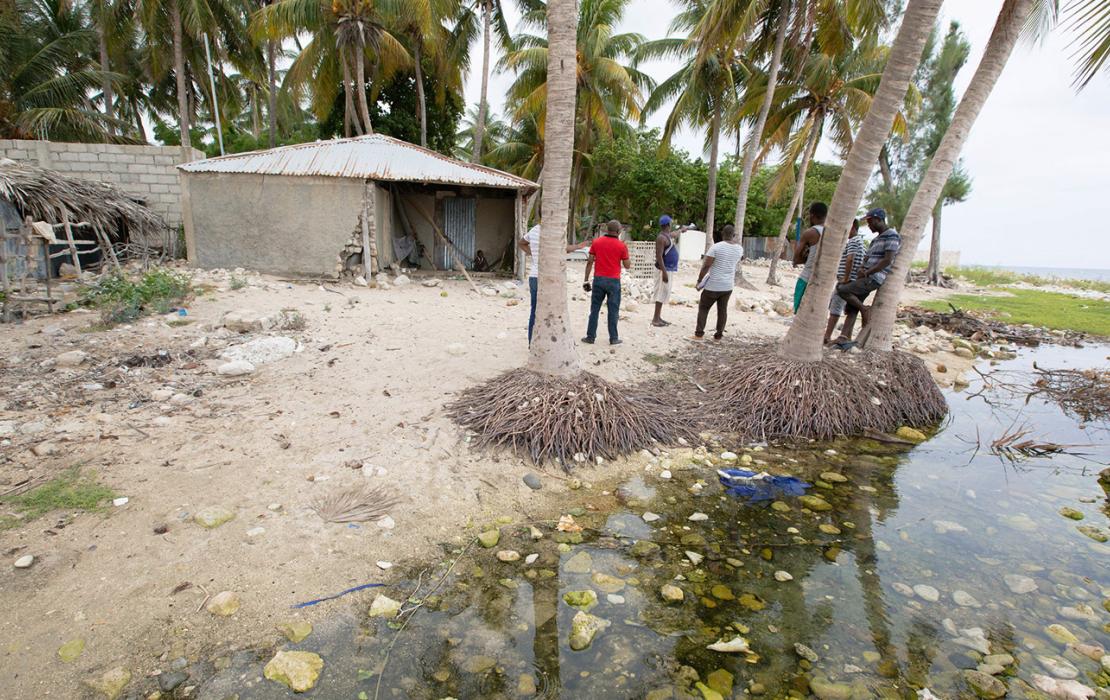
x=46 y=196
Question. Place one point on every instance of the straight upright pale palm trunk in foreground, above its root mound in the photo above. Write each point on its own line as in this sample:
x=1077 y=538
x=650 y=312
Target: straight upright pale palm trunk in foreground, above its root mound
x=553 y=350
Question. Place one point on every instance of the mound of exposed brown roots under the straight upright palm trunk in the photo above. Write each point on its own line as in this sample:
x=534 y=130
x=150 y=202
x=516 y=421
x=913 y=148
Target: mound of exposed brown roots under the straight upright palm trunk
x=569 y=420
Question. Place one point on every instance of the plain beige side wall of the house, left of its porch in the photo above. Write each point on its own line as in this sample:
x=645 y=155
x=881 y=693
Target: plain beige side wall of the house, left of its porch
x=273 y=224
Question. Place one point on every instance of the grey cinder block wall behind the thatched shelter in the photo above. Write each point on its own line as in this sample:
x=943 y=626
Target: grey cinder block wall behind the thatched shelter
x=147 y=173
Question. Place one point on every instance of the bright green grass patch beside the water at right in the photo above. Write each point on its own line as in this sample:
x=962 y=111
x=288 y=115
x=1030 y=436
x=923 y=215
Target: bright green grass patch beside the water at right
x=1051 y=310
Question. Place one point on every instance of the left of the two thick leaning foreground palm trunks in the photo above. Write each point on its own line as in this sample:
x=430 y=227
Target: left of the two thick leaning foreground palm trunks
x=804 y=340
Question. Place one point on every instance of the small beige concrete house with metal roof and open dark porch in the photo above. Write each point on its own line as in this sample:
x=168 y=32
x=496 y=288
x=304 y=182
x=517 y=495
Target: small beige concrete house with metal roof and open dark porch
x=319 y=209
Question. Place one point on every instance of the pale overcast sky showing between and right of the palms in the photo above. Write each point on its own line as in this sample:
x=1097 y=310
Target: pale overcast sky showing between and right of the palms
x=1037 y=156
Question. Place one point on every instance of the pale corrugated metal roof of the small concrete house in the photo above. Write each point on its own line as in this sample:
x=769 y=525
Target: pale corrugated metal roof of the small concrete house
x=376 y=157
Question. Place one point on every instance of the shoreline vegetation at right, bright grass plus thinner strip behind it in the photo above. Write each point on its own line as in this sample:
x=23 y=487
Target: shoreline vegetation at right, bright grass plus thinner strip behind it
x=1014 y=302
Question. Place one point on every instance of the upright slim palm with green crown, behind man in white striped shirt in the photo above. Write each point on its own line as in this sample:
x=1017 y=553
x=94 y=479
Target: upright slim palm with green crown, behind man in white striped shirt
x=702 y=90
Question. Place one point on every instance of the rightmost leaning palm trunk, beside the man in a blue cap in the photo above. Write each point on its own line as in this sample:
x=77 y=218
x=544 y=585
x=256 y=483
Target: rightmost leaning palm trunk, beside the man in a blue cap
x=1003 y=39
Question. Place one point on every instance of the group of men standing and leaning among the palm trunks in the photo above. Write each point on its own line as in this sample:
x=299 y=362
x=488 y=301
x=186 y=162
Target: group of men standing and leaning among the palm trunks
x=861 y=272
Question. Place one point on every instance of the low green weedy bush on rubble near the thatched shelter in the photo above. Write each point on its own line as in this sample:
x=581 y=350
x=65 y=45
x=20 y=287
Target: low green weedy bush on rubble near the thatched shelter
x=123 y=299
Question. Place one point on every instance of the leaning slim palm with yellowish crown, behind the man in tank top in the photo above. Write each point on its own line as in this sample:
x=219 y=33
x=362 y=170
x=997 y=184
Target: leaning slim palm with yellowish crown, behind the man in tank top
x=833 y=89
